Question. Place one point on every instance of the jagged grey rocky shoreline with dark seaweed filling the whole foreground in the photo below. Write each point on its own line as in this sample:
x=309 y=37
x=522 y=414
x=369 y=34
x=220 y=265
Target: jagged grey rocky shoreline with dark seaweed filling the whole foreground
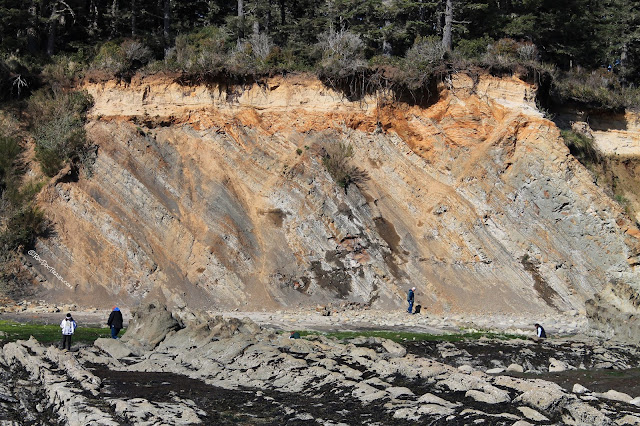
x=191 y=367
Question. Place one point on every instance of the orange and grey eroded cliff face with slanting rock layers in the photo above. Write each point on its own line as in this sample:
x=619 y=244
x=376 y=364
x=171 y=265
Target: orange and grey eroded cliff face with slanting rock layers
x=217 y=197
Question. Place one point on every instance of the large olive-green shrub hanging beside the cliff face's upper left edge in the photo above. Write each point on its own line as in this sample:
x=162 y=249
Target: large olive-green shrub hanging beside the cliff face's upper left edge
x=58 y=127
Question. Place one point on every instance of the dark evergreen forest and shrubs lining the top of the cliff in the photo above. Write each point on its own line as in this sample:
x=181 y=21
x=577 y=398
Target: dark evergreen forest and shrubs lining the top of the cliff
x=588 y=50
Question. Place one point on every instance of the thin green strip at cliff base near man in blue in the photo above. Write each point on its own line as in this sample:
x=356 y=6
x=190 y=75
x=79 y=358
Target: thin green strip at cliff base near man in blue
x=402 y=337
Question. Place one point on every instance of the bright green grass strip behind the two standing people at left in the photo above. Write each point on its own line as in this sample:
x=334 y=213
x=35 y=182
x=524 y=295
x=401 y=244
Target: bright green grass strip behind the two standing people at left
x=13 y=331
